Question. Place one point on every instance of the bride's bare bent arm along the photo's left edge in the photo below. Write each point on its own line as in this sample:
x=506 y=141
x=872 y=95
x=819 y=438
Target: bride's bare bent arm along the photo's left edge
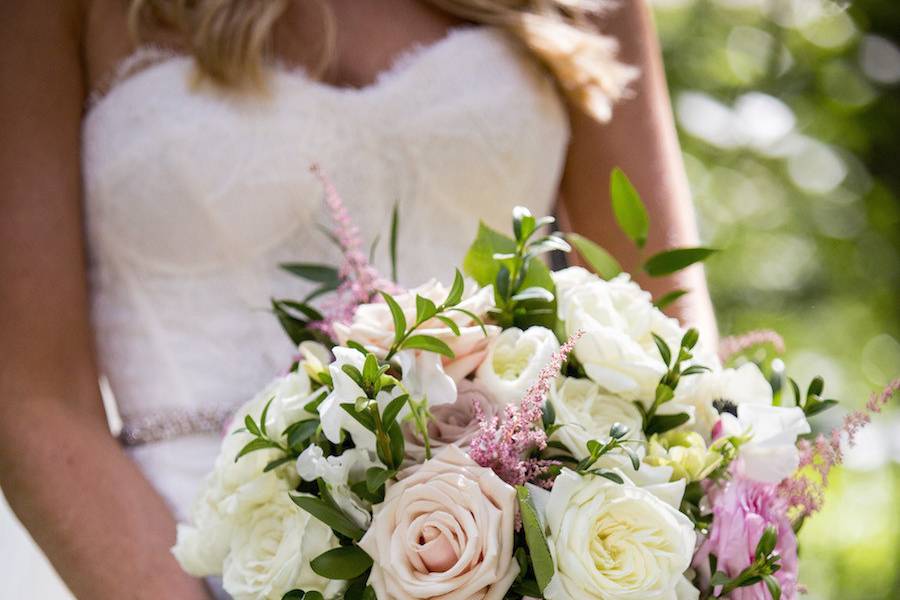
x=99 y=521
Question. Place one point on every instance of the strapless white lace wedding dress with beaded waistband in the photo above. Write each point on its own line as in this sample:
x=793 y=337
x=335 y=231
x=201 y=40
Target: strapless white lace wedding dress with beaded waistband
x=193 y=198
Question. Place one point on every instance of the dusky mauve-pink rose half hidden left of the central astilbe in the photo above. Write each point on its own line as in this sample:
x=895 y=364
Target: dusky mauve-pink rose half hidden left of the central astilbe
x=454 y=423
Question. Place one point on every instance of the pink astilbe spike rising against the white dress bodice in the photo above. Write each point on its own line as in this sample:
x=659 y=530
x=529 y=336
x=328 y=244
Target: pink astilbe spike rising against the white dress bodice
x=360 y=281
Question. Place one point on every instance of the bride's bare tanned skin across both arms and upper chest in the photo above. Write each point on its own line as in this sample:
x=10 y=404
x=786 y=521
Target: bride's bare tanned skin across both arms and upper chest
x=102 y=525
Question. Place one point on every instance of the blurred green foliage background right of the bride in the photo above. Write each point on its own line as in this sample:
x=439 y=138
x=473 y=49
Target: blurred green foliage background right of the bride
x=789 y=115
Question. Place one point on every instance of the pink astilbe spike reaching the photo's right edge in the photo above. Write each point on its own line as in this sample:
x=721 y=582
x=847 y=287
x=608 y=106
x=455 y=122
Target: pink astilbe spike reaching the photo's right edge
x=805 y=491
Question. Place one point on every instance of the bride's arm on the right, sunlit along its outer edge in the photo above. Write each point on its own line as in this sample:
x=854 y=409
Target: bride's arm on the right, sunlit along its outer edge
x=641 y=140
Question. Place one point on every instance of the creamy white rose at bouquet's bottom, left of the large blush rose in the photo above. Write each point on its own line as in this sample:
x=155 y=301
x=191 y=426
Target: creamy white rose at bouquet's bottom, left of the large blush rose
x=271 y=551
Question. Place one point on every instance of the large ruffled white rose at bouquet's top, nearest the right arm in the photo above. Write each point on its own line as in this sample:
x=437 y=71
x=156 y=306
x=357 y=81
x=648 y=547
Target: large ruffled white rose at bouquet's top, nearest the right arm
x=617 y=349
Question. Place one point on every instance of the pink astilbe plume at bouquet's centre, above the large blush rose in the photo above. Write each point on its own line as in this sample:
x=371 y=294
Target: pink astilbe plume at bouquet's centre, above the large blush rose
x=504 y=445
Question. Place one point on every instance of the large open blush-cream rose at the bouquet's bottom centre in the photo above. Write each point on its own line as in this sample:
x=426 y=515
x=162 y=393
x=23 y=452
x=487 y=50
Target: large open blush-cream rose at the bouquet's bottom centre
x=445 y=530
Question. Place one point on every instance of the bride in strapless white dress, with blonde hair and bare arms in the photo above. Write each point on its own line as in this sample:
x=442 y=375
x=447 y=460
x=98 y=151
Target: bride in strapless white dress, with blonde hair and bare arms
x=150 y=191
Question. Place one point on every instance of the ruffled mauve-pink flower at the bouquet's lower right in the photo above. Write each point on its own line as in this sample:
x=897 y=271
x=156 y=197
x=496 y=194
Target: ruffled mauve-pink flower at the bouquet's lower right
x=742 y=509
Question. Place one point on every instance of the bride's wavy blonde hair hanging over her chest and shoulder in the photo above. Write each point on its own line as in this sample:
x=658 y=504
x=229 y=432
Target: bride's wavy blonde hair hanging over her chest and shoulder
x=230 y=40
